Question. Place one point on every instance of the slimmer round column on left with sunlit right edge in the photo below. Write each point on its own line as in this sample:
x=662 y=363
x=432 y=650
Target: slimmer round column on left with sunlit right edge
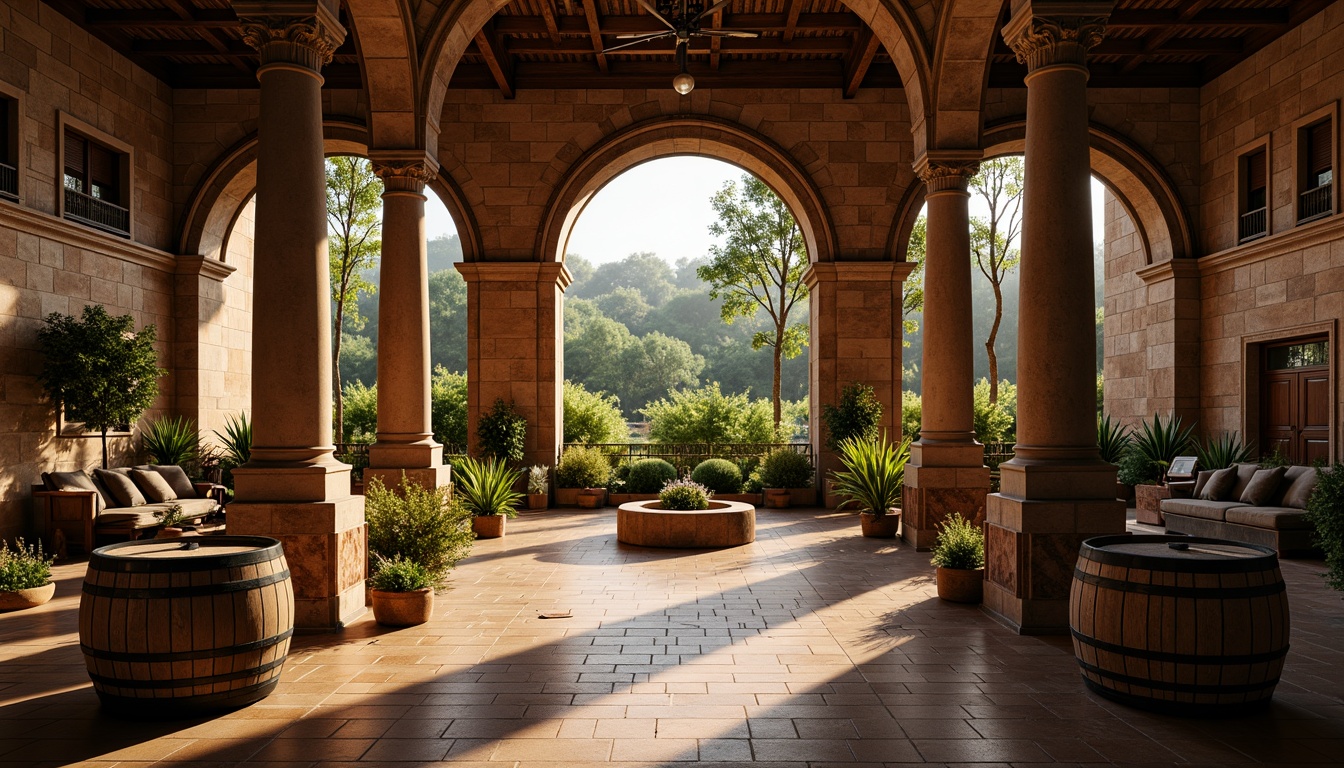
x=405 y=432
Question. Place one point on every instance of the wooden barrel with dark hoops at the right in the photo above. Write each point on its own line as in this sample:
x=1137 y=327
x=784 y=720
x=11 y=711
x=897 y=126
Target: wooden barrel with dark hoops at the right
x=1182 y=625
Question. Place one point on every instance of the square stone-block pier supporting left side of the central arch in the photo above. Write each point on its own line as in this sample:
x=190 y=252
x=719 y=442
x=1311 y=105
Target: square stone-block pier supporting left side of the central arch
x=515 y=348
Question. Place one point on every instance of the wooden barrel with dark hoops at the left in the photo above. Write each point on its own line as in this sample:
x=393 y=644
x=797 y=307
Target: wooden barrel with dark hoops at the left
x=181 y=627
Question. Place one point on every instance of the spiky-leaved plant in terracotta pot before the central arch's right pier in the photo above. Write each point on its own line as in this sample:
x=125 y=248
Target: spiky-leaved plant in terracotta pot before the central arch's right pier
x=873 y=479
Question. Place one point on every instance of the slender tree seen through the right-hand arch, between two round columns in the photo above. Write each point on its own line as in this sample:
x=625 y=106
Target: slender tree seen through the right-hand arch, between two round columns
x=994 y=241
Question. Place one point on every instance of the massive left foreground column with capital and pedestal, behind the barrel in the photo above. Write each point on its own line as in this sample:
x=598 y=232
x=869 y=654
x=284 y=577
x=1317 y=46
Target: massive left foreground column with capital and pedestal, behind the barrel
x=294 y=490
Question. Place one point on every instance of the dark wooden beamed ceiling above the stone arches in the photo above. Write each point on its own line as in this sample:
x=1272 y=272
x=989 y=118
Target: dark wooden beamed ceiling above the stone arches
x=803 y=44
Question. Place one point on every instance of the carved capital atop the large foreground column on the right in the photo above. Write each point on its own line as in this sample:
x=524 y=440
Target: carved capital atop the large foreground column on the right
x=1052 y=34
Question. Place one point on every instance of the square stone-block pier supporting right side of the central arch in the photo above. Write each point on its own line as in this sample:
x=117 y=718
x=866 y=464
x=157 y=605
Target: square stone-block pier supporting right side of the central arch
x=857 y=334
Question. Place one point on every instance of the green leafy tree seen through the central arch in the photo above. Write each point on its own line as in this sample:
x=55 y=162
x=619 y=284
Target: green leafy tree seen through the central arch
x=760 y=268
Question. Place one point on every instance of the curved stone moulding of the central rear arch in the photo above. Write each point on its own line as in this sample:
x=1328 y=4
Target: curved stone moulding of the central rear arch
x=673 y=137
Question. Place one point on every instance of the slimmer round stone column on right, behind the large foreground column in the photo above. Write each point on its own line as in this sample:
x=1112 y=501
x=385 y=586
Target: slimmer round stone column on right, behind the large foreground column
x=947 y=471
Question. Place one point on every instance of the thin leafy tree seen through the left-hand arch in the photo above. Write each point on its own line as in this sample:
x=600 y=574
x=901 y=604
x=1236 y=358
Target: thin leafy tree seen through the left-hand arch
x=354 y=223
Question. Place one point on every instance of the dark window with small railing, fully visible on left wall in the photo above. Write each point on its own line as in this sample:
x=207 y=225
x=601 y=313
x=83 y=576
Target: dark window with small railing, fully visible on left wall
x=96 y=181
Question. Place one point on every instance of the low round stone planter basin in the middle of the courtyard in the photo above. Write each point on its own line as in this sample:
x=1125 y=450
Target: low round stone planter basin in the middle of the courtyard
x=647 y=524
